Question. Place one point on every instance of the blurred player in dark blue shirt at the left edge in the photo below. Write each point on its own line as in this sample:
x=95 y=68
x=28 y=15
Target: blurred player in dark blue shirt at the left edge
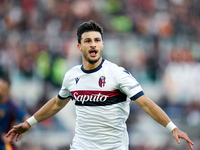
x=9 y=113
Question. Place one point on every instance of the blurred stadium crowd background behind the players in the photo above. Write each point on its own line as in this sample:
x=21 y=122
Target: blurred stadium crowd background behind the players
x=158 y=41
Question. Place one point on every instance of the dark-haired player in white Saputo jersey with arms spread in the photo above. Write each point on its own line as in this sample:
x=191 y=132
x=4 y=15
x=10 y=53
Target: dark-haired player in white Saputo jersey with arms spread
x=102 y=92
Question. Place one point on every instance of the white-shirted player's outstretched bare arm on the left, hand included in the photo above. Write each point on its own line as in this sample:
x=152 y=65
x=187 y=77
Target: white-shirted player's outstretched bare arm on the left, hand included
x=52 y=107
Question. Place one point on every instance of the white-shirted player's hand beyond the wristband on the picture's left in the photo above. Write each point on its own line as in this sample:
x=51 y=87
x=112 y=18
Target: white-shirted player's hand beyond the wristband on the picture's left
x=17 y=130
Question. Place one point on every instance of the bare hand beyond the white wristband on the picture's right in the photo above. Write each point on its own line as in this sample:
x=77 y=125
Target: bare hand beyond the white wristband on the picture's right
x=178 y=134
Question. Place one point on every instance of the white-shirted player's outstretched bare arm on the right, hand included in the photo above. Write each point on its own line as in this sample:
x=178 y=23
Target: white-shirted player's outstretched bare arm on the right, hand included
x=161 y=117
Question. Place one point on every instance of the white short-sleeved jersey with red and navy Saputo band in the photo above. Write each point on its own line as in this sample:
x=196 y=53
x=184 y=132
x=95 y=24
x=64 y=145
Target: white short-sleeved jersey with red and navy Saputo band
x=102 y=106
